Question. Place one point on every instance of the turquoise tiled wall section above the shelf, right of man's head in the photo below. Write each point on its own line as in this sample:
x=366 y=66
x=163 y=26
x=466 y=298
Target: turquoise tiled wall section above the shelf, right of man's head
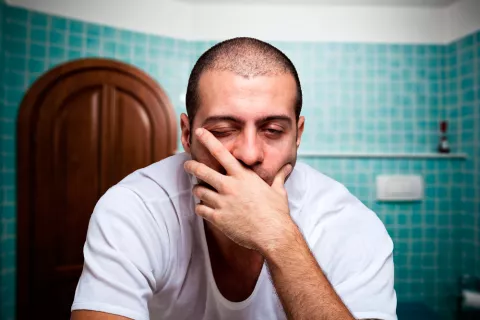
x=364 y=90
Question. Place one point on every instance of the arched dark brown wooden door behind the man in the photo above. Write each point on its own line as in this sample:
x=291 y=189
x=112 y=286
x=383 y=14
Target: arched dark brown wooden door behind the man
x=82 y=127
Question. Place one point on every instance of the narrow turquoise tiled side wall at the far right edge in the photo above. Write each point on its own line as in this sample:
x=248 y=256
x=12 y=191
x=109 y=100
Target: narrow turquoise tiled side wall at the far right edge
x=463 y=92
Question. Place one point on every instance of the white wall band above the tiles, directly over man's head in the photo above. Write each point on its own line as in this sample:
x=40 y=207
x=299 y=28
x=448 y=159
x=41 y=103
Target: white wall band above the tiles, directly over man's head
x=320 y=23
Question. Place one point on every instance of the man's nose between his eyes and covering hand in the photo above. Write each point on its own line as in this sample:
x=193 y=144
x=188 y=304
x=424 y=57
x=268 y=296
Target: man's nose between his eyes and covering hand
x=248 y=149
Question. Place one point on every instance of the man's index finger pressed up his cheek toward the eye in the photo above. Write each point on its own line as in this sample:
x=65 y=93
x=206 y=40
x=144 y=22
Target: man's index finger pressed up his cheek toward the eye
x=218 y=151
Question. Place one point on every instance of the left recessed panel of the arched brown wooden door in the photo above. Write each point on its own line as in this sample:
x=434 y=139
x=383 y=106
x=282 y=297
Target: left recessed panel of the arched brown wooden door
x=76 y=164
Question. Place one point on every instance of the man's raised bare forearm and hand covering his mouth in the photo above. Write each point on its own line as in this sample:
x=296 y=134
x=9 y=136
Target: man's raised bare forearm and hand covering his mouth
x=256 y=216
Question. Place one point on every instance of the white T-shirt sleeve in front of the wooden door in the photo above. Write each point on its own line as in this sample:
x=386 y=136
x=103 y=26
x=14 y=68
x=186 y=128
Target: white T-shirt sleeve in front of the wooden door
x=124 y=256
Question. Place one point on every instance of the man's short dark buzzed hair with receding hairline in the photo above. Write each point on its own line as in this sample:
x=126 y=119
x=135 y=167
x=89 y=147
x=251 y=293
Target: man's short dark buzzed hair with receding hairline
x=247 y=57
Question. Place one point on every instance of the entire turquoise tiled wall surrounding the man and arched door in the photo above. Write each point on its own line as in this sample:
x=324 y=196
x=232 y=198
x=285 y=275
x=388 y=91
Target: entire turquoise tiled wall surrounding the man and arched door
x=358 y=97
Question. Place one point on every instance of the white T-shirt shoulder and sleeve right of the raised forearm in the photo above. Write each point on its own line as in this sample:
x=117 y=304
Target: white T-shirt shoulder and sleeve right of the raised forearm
x=351 y=245
